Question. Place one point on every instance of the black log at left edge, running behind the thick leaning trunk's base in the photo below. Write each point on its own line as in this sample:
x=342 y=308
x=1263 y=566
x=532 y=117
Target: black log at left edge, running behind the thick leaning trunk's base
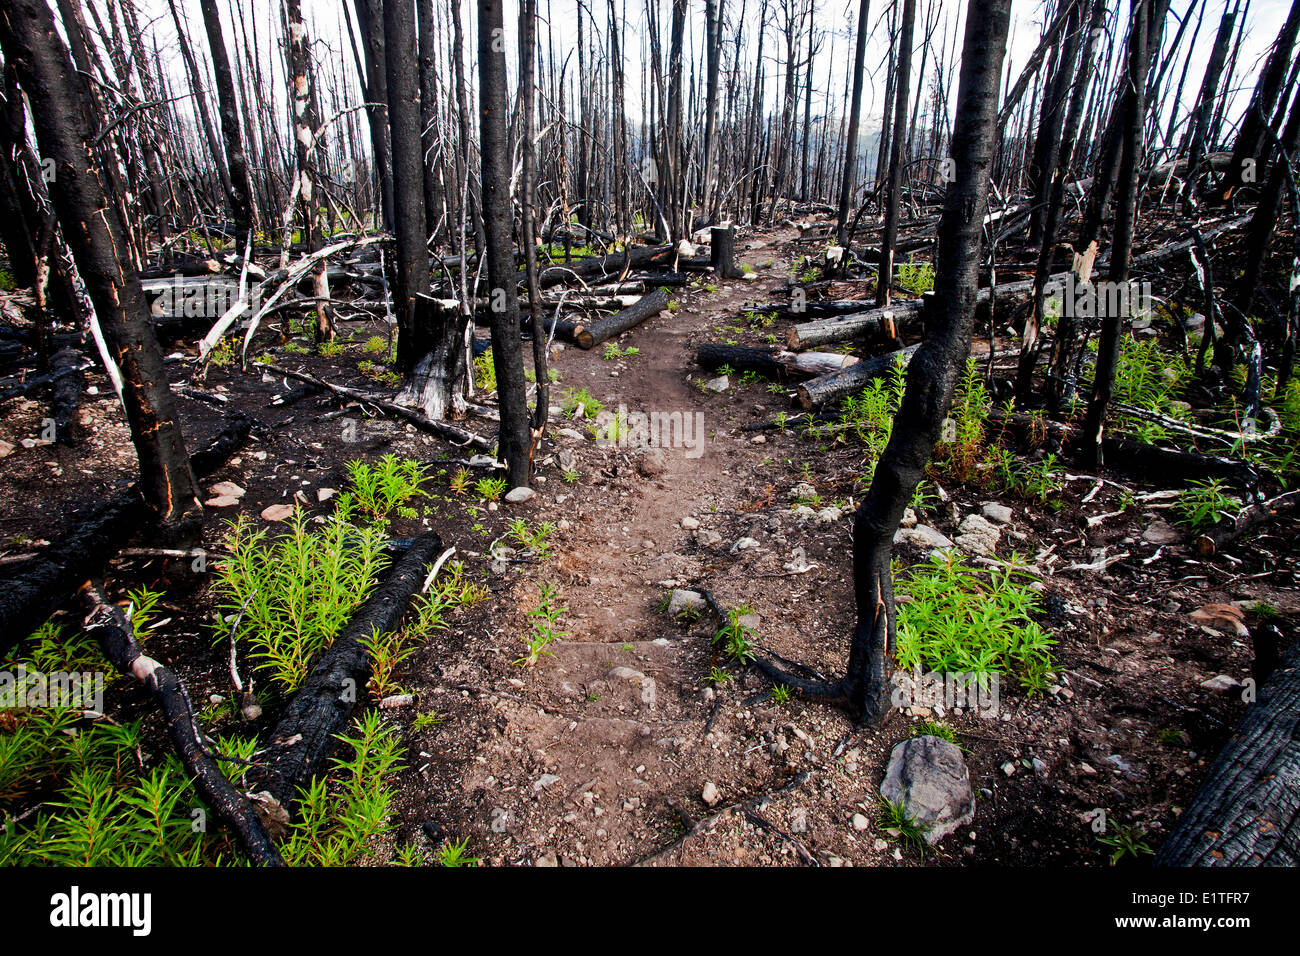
x=44 y=585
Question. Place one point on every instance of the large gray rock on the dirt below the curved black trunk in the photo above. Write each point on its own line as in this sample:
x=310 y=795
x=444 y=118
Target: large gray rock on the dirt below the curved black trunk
x=930 y=778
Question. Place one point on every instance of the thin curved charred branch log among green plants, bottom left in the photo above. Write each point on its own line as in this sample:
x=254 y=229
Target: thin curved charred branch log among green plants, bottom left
x=106 y=624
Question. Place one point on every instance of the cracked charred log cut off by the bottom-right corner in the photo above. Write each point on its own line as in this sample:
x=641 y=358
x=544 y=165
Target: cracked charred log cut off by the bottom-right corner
x=1246 y=812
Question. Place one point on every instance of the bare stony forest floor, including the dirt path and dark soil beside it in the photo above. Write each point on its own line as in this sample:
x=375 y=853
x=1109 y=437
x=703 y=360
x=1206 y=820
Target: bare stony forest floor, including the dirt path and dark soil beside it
x=621 y=747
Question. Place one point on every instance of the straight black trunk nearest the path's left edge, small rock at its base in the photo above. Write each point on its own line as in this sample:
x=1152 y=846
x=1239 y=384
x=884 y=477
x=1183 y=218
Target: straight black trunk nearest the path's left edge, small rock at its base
x=506 y=351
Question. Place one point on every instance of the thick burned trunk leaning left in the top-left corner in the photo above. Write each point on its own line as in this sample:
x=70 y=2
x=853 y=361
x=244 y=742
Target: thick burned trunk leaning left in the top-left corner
x=66 y=133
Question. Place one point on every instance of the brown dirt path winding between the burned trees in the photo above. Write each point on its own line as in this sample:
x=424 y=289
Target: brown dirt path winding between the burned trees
x=614 y=749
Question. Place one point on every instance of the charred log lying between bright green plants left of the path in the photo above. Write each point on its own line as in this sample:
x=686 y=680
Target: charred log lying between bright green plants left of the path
x=306 y=734
